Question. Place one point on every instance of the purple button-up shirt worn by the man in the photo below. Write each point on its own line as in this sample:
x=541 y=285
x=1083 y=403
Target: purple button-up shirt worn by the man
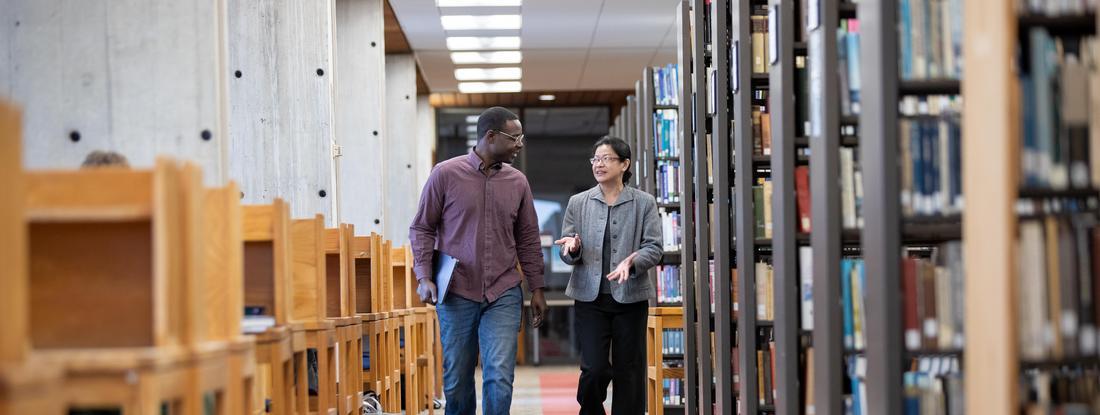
x=485 y=220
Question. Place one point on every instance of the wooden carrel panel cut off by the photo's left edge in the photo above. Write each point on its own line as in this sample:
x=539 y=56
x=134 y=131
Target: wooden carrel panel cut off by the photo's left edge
x=27 y=387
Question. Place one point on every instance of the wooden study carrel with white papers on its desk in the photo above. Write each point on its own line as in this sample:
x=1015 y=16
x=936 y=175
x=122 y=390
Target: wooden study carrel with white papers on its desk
x=267 y=286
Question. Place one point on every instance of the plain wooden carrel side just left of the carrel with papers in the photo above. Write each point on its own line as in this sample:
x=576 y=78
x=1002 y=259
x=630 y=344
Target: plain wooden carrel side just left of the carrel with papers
x=223 y=270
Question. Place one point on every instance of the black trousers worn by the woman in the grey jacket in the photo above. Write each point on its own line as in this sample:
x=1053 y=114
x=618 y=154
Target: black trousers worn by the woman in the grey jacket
x=608 y=326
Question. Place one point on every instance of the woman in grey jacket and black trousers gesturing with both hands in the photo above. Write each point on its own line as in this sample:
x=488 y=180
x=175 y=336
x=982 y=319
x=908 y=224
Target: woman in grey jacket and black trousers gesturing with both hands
x=612 y=236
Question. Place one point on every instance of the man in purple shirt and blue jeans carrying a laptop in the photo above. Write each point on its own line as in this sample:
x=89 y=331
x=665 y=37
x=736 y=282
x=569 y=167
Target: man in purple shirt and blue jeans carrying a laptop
x=480 y=211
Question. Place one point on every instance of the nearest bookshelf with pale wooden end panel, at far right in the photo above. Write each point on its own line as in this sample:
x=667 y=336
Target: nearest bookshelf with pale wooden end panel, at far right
x=1025 y=57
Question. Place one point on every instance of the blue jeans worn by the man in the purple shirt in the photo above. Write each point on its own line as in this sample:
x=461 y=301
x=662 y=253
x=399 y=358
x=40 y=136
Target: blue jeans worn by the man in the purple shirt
x=466 y=325
